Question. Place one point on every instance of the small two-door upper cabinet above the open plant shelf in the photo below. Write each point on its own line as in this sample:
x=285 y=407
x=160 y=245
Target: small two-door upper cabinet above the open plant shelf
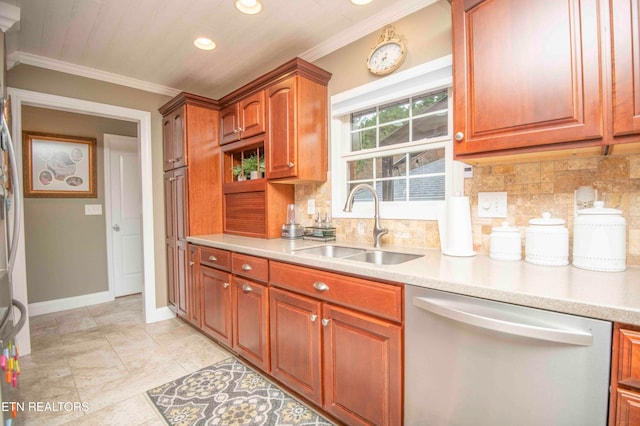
x=243 y=119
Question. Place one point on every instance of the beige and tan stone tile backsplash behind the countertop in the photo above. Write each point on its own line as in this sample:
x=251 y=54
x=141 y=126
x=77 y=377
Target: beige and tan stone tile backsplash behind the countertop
x=532 y=188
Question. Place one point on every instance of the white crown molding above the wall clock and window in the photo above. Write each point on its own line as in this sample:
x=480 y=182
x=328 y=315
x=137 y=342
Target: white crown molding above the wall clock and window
x=363 y=28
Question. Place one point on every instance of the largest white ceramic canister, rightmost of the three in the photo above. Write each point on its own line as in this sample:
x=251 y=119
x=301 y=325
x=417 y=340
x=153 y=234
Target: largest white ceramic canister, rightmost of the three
x=600 y=239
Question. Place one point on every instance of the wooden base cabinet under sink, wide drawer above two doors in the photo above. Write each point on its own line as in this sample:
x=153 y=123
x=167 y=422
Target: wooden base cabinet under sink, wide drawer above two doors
x=337 y=340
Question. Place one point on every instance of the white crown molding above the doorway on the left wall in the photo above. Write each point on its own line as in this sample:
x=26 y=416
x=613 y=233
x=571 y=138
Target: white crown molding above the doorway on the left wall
x=82 y=71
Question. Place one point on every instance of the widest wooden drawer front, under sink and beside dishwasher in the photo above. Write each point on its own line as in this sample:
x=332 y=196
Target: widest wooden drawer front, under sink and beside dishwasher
x=383 y=300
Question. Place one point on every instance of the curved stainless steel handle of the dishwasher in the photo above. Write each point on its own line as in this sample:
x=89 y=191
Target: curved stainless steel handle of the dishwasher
x=570 y=337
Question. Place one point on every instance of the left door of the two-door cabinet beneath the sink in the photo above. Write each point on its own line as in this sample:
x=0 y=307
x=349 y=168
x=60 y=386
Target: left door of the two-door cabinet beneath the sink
x=295 y=342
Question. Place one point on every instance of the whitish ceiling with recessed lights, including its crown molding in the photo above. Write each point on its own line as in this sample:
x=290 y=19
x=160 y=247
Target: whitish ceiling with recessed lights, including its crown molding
x=148 y=44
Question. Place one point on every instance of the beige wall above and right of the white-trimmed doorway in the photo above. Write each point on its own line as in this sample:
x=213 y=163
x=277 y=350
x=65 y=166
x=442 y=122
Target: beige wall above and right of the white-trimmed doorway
x=57 y=83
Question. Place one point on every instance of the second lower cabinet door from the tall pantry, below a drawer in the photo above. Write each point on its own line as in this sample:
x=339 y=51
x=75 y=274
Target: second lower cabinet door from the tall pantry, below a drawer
x=216 y=304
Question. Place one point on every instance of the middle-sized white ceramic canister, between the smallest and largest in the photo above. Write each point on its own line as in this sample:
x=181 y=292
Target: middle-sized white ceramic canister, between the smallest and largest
x=547 y=241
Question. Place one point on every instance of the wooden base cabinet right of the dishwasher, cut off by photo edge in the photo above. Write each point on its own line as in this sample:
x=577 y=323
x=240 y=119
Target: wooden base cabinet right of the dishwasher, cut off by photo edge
x=624 y=408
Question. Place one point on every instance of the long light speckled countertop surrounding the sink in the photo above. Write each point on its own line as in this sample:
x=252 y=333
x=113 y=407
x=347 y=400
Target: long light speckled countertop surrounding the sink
x=613 y=296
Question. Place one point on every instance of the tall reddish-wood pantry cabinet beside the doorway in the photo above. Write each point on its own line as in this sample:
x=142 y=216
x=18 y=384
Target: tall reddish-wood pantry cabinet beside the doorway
x=192 y=185
